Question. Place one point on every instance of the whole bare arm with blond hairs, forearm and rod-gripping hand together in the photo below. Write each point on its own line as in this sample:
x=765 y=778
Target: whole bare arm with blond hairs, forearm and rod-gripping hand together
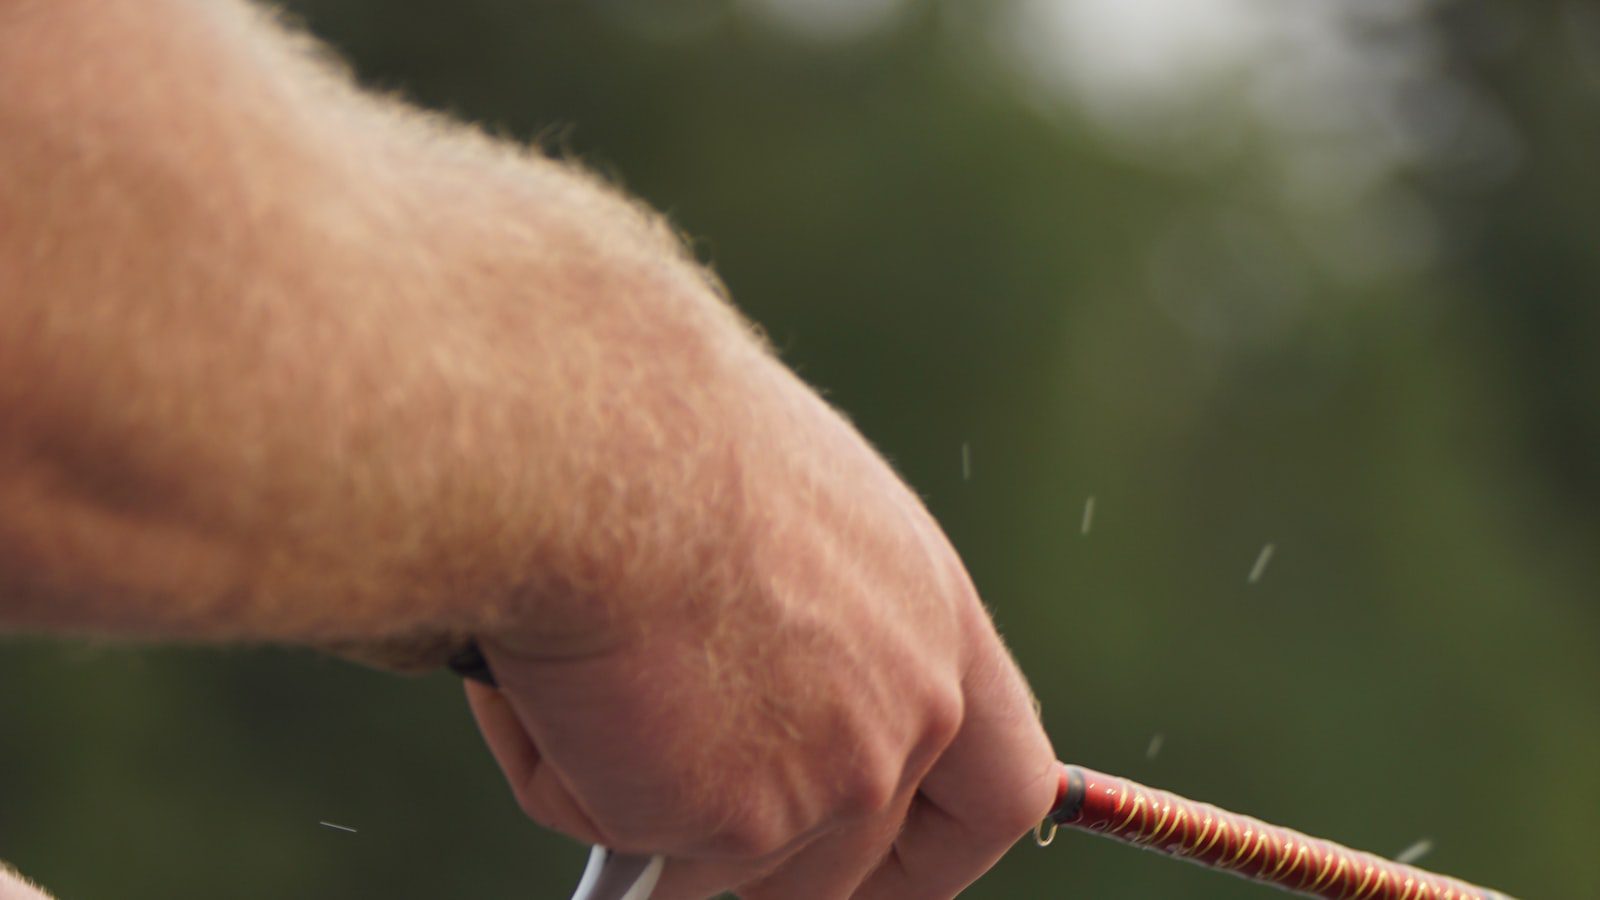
x=287 y=363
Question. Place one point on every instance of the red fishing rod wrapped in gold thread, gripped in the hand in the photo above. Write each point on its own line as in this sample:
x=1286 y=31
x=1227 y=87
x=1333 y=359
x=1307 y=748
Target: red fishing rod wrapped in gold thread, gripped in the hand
x=1134 y=814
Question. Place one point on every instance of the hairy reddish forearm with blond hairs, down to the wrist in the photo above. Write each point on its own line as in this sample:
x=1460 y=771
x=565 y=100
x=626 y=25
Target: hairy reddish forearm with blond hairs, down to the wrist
x=279 y=361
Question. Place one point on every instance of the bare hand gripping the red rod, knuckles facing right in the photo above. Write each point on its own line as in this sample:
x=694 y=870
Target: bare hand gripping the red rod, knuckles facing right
x=817 y=705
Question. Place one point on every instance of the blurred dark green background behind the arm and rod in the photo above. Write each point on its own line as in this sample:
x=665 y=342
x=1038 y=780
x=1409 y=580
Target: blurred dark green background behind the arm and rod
x=1298 y=275
